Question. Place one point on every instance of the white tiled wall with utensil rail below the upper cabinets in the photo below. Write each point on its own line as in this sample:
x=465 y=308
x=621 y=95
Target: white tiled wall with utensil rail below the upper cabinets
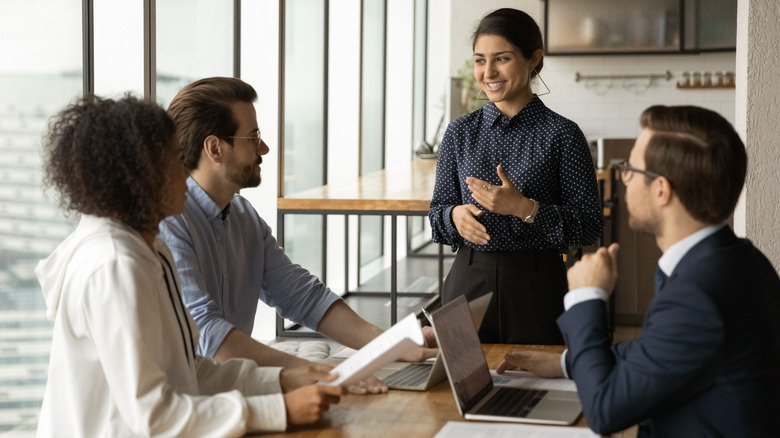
x=613 y=111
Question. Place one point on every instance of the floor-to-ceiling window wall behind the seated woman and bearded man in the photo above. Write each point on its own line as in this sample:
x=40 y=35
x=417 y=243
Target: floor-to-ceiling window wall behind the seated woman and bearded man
x=52 y=52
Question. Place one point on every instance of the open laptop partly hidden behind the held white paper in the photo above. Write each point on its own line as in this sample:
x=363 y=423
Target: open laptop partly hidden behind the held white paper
x=421 y=376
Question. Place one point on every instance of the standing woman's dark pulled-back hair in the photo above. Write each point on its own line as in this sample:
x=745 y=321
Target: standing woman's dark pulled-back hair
x=515 y=26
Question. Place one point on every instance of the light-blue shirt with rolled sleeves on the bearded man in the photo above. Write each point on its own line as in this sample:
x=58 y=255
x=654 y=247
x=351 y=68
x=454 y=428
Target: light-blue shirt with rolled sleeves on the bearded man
x=226 y=265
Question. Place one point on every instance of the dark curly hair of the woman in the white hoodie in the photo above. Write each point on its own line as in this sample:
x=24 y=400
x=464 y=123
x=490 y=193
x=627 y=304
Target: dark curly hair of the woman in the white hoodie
x=107 y=158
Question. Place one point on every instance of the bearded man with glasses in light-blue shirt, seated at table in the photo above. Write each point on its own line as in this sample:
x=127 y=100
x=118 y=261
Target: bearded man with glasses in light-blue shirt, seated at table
x=226 y=256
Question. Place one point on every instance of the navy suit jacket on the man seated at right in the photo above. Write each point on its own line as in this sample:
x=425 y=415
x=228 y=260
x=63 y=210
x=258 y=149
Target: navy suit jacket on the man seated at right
x=707 y=362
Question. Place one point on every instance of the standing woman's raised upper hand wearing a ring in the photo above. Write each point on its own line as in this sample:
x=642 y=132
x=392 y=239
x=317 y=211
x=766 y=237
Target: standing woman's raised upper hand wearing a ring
x=505 y=199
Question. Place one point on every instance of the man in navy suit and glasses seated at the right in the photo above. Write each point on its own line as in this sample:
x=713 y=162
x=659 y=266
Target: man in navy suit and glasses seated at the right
x=707 y=362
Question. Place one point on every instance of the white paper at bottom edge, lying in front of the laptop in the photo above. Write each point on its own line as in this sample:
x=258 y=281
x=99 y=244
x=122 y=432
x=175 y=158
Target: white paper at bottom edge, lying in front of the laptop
x=462 y=429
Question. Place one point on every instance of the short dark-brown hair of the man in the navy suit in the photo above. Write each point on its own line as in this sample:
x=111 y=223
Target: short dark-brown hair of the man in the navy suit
x=701 y=155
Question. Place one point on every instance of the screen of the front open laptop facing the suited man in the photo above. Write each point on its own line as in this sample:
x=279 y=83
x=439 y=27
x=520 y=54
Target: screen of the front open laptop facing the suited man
x=463 y=356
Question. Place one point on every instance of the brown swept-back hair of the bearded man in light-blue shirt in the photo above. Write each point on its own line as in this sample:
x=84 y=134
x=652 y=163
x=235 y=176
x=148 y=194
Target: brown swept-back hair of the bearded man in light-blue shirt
x=203 y=108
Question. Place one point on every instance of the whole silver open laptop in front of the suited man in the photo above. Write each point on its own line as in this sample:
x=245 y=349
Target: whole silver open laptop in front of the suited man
x=476 y=396
